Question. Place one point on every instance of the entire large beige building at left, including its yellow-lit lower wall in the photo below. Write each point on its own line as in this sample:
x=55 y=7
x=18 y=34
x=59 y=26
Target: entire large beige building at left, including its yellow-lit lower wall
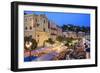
x=37 y=27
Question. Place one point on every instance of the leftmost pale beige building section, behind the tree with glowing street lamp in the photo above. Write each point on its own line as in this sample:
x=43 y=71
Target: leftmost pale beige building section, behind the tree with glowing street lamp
x=29 y=25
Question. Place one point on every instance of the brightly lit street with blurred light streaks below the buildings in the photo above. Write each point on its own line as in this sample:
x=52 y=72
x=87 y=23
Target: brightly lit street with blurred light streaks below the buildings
x=58 y=52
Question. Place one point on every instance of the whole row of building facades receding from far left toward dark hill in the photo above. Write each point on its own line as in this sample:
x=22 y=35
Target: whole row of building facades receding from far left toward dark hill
x=40 y=28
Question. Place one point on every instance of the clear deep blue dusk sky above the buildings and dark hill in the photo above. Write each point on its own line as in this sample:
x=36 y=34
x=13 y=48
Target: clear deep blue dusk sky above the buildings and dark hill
x=59 y=18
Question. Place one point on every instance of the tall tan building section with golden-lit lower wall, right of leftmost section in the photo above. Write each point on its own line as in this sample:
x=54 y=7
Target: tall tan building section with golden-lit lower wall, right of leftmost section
x=42 y=31
